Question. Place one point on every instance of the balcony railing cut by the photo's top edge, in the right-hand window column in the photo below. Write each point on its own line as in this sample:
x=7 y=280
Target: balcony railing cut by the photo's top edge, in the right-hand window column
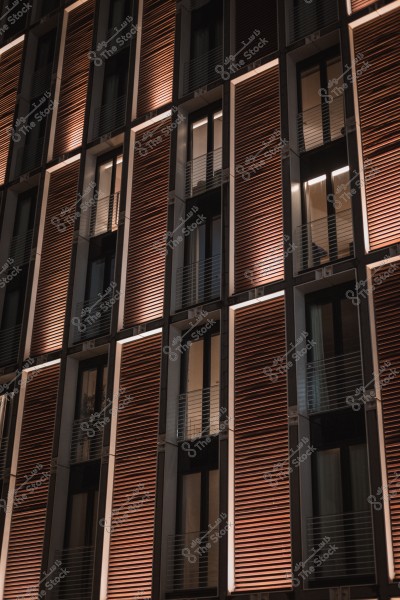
x=309 y=17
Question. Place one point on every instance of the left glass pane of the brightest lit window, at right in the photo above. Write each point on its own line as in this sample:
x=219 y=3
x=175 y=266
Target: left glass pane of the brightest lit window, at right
x=316 y=242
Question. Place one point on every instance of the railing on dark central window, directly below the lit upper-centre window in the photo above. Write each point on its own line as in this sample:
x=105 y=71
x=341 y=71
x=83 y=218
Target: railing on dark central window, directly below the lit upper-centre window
x=198 y=283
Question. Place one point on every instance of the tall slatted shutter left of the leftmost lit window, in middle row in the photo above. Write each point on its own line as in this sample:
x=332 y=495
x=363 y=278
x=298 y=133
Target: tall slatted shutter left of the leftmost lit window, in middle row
x=51 y=299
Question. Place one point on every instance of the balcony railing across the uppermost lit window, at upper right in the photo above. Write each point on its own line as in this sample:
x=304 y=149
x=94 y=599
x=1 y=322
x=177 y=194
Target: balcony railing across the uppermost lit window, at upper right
x=321 y=124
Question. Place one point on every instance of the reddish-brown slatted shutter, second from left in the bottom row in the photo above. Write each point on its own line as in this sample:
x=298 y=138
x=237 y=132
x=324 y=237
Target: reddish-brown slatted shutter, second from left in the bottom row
x=131 y=547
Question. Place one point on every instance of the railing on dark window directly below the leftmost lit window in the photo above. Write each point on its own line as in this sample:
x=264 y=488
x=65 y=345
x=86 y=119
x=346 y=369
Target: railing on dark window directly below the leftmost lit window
x=93 y=317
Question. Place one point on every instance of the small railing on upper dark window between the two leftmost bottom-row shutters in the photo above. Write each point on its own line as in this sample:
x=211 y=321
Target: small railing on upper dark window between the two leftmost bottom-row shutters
x=87 y=440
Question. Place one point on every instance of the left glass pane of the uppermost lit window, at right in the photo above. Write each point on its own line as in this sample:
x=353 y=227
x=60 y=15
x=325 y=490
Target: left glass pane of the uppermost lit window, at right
x=311 y=109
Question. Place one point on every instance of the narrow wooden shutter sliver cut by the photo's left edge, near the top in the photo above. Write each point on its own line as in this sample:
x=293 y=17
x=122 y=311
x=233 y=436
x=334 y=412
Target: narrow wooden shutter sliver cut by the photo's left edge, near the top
x=10 y=66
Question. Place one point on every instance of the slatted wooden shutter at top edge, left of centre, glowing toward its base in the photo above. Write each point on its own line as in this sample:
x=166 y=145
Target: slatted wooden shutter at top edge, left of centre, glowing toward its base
x=157 y=55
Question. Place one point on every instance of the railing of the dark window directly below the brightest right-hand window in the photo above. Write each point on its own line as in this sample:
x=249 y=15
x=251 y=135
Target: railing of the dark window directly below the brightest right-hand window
x=331 y=381
